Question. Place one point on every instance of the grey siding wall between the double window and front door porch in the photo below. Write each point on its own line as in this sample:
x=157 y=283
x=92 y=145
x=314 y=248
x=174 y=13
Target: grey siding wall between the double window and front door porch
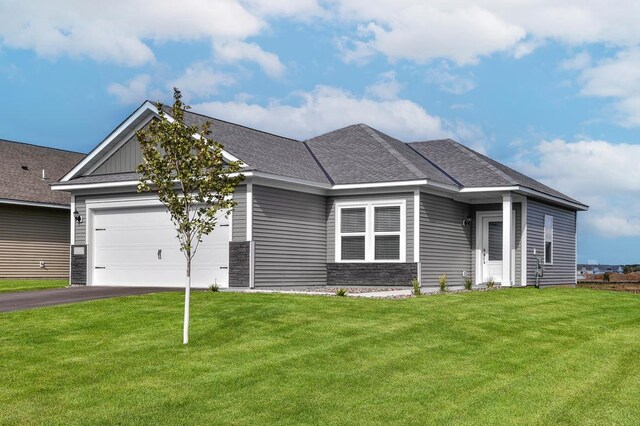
x=445 y=244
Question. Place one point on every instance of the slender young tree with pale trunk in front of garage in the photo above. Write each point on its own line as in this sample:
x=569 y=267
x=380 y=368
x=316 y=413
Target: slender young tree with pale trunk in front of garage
x=190 y=177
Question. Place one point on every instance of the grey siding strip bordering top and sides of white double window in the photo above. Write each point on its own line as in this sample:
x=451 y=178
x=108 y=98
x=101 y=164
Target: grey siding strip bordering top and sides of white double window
x=331 y=219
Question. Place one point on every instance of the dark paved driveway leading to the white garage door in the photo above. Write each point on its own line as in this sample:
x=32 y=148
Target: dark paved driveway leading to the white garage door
x=62 y=296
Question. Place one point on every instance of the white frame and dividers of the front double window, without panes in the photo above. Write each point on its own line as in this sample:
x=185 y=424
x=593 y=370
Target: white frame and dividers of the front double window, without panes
x=370 y=234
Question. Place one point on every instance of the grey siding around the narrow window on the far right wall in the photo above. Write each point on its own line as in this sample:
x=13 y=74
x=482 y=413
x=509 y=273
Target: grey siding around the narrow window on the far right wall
x=563 y=269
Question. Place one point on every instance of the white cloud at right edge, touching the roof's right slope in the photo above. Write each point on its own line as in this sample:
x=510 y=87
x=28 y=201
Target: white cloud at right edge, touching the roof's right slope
x=599 y=173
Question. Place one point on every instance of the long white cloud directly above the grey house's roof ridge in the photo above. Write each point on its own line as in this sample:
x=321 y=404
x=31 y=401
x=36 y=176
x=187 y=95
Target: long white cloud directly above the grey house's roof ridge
x=328 y=108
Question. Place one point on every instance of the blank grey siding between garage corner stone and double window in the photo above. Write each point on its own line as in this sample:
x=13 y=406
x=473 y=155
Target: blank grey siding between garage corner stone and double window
x=289 y=232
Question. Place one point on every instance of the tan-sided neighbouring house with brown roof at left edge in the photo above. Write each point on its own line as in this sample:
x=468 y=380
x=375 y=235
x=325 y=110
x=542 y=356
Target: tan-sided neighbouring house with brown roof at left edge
x=34 y=221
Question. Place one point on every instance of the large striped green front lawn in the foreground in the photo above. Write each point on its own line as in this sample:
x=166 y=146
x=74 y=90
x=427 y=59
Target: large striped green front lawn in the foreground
x=516 y=356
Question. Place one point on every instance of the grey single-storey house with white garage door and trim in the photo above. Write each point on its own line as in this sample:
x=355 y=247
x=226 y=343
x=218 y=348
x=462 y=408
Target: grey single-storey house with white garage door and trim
x=352 y=207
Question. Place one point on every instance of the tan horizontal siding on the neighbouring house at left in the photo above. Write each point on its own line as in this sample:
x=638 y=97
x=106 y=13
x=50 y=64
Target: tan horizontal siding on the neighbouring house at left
x=29 y=235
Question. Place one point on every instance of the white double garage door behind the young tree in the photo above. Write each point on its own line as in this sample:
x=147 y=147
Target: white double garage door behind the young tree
x=138 y=247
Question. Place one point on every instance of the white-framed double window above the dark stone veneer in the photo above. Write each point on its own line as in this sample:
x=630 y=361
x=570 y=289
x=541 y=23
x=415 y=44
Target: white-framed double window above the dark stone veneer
x=370 y=232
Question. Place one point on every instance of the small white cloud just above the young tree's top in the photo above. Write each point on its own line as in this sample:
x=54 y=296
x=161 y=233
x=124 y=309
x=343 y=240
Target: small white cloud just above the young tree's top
x=200 y=80
